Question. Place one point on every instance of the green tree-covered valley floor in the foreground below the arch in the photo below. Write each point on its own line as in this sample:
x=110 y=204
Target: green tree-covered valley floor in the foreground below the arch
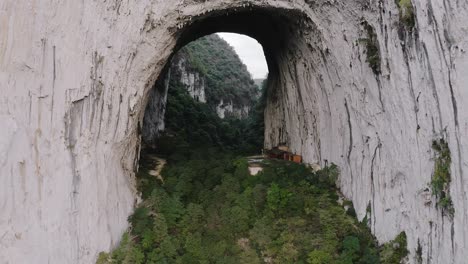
x=211 y=209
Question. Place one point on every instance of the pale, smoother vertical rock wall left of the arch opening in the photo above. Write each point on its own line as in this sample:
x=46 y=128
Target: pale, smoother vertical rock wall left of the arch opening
x=72 y=77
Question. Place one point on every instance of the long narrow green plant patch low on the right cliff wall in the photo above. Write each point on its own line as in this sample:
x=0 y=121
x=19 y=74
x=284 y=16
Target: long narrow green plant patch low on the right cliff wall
x=440 y=183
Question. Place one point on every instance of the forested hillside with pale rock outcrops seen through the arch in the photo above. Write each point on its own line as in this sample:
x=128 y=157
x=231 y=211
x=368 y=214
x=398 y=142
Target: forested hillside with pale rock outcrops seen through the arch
x=206 y=81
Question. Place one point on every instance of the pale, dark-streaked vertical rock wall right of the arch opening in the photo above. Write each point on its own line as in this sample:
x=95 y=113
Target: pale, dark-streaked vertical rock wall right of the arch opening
x=379 y=127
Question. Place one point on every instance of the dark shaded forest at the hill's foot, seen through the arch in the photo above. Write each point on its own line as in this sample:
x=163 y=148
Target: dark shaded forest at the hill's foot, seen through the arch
x=195 y=124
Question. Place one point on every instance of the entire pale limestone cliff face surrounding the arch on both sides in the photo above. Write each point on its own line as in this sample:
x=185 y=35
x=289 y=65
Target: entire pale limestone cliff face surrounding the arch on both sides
x=76 y=77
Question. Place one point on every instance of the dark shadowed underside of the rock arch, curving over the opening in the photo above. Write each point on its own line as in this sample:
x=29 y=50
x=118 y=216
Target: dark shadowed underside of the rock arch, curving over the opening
x=273 y=28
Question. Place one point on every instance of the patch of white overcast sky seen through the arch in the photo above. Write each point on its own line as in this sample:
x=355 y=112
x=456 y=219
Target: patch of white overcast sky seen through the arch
x=250 y=52
